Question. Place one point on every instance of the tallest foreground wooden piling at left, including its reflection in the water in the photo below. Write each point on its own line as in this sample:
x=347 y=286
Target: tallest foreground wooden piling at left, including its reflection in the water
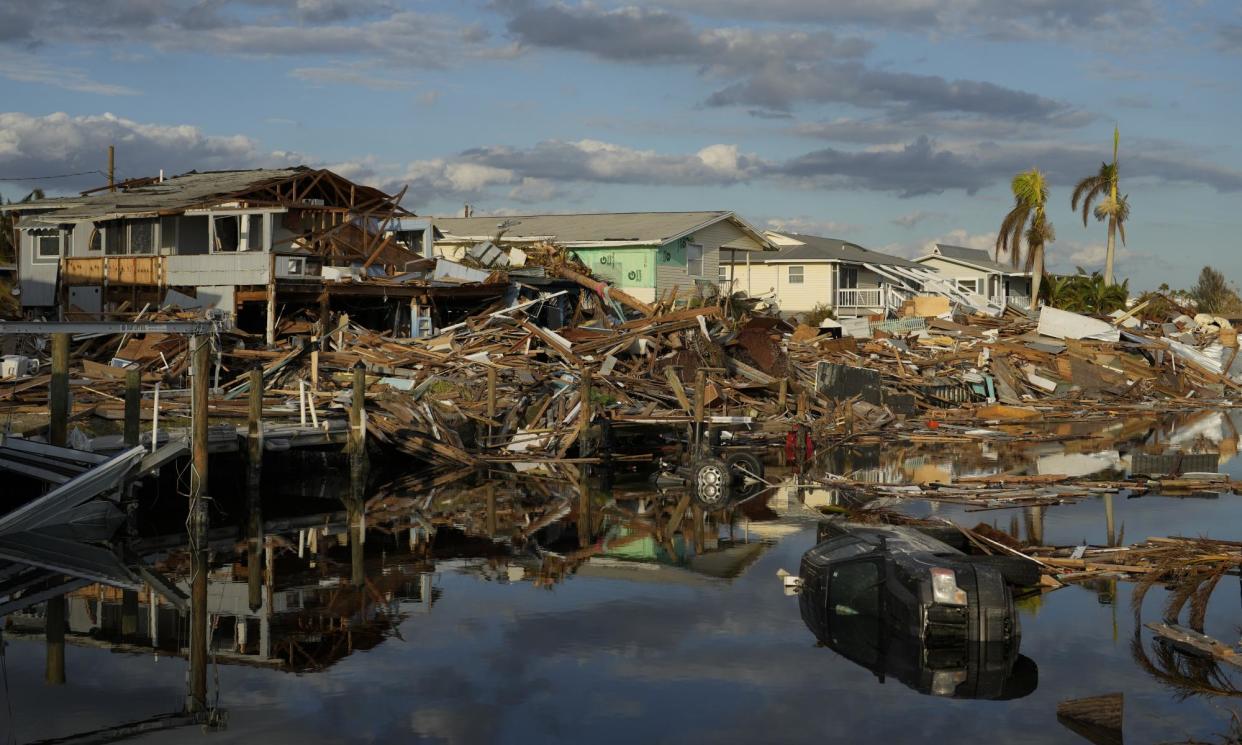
x=198 y=698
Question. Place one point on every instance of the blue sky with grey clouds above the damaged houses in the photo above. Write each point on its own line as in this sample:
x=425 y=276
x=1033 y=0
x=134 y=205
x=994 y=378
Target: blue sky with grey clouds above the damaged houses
x=895 y=125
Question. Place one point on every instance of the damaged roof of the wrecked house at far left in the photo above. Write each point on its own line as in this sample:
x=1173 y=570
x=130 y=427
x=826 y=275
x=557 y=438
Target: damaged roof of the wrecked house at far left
x=177 y=194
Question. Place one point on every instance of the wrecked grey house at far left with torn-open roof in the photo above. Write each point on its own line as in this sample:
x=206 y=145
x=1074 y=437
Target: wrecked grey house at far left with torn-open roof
x=255 y=245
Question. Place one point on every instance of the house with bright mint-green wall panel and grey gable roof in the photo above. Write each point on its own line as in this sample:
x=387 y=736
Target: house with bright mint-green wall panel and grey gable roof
x=644 y=254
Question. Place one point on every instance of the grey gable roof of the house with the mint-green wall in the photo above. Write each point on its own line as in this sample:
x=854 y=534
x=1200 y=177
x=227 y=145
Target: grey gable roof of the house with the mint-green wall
x=633 y=229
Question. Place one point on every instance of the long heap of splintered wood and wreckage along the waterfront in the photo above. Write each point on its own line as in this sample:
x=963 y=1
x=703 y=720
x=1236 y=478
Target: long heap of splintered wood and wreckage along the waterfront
x=545 y=372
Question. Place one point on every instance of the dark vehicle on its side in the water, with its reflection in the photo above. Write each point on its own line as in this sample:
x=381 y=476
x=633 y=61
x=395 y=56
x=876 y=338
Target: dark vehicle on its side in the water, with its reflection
x=904 y=603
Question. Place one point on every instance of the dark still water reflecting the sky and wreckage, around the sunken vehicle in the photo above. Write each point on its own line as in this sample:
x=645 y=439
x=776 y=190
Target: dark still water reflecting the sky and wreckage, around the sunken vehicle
x=525 y=612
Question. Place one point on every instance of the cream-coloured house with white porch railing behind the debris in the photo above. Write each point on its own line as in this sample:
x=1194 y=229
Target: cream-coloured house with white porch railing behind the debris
x=810 y=271
